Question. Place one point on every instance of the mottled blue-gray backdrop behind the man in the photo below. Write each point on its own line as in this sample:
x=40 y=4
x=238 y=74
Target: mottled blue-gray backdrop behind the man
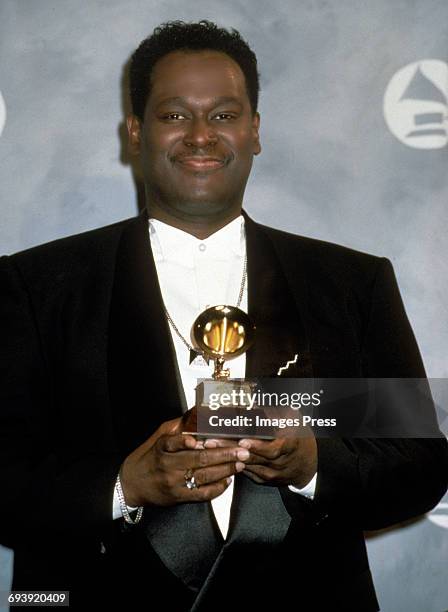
x=354 y=128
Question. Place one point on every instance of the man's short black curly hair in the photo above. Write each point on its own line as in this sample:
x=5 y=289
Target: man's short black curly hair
x=180 y=36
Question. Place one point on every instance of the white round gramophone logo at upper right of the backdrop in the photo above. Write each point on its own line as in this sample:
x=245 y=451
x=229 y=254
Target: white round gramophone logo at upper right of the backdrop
x=415 y=104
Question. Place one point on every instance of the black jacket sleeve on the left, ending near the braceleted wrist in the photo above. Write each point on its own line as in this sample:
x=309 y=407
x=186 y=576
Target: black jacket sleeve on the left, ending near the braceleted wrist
x=40 y=490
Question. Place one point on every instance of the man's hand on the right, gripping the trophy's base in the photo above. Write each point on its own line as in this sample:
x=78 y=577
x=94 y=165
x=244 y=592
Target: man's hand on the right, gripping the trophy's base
x=282 y=461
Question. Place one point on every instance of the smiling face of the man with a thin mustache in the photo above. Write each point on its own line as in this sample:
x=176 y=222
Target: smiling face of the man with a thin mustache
x=199 y=135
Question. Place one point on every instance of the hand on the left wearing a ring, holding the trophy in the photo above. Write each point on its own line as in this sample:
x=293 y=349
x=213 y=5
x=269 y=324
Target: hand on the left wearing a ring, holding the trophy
x=154 y=473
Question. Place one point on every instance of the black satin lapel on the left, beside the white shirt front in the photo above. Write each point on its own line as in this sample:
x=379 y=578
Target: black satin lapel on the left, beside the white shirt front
x=141 y=360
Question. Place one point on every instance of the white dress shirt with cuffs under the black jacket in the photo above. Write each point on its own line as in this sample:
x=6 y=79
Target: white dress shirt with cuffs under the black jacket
x=194 y=274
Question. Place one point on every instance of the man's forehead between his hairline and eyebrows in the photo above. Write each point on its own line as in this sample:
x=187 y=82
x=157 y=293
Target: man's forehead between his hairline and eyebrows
x=192 y=74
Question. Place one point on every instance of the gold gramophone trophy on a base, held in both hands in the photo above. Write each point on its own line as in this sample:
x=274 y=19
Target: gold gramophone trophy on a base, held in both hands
x=220 y=333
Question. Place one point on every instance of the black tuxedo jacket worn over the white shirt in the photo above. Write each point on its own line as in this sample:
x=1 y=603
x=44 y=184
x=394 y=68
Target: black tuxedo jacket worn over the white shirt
x=88 y=373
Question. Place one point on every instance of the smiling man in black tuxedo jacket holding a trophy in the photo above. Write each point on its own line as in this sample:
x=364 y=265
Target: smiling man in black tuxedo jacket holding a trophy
x=103 y=495
